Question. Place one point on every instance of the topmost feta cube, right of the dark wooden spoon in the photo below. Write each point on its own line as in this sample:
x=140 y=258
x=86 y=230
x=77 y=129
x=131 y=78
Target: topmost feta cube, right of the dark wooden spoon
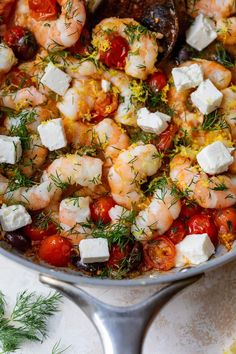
x=201 y=33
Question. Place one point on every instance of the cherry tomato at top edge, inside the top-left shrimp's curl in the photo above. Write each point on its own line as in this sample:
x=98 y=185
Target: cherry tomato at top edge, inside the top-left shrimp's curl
x=42 y=10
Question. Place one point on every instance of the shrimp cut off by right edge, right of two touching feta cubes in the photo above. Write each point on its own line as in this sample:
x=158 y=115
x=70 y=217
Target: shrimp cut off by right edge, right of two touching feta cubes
x=228 y=108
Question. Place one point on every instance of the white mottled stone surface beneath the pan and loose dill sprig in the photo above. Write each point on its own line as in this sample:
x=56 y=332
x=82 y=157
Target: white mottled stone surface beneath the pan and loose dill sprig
x=200 y=320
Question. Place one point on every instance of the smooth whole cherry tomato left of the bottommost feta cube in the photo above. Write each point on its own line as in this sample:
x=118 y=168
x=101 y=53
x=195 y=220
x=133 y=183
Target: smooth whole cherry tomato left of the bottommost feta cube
x=55 y=250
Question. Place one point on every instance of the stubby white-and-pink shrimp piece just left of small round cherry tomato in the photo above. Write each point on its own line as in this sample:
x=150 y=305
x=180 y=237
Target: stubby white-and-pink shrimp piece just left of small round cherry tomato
x=74 y=210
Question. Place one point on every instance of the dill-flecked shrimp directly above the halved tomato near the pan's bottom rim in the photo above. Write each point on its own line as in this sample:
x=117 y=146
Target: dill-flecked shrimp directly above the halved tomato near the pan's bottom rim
x=163 y=209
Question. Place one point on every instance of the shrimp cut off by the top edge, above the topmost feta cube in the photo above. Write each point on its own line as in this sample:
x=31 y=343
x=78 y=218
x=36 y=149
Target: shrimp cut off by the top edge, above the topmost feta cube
x=212 y=8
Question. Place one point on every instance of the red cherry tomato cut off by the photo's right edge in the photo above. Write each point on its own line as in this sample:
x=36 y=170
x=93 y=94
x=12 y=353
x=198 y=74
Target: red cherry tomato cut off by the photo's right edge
x=225 y=220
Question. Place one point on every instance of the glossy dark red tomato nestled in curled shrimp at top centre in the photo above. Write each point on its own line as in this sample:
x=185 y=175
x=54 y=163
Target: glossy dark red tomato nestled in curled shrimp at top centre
x=116 y=55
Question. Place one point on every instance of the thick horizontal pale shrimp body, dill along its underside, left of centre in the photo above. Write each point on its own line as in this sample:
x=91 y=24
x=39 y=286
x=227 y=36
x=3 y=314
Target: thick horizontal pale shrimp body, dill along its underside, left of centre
x=74 y=169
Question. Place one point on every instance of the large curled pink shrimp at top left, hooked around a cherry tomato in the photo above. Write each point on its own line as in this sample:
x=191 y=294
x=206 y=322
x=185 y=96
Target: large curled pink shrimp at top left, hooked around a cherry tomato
x=56 y=34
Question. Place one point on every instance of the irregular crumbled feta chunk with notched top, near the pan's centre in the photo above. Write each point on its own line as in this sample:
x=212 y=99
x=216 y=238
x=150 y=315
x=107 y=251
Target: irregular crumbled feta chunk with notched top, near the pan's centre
x=152 y=122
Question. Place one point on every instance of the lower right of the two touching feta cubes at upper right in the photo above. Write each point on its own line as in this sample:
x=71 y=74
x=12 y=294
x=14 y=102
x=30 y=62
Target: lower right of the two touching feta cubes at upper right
x=207 y=97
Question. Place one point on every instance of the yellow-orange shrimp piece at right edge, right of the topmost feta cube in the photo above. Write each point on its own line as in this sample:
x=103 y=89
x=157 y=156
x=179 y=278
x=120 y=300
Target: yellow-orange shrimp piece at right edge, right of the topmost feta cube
x=226 y=30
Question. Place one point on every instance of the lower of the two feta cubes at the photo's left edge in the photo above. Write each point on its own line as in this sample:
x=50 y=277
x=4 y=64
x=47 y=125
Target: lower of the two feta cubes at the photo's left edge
x=14 y=217
